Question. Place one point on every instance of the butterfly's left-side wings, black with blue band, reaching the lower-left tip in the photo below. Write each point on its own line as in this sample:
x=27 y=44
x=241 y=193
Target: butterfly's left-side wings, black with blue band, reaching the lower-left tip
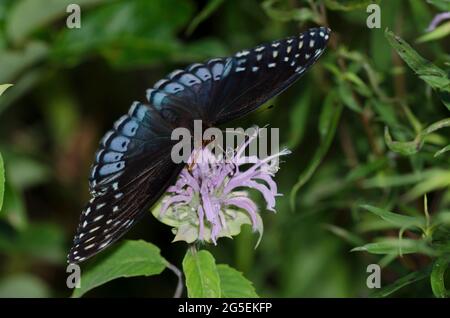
x=132 y=168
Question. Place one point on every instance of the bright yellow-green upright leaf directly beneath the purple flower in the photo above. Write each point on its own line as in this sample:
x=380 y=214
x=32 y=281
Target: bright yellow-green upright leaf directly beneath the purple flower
x=202 y=276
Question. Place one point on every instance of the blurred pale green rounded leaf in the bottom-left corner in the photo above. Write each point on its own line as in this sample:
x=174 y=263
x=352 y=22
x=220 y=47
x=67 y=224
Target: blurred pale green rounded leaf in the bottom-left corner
x=23 y=286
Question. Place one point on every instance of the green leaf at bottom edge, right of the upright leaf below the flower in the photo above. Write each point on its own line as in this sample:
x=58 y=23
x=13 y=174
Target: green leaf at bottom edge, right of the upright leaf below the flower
x=233 y=284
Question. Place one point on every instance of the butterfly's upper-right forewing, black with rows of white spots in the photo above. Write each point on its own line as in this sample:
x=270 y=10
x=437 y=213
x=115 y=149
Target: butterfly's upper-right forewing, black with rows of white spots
x=254 y=76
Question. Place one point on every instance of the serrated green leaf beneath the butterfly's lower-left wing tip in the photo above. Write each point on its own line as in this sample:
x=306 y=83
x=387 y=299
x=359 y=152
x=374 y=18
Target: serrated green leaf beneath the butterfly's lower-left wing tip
x=129 y=259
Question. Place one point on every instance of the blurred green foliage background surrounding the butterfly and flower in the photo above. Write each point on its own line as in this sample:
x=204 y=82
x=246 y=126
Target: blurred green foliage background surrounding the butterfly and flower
x=367 y=182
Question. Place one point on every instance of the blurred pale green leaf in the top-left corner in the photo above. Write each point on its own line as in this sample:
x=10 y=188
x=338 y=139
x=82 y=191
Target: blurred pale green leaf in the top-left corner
x=27 y=16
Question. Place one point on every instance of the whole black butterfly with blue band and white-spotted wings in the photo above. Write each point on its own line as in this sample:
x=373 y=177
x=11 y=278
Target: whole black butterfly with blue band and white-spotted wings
x=133 y=166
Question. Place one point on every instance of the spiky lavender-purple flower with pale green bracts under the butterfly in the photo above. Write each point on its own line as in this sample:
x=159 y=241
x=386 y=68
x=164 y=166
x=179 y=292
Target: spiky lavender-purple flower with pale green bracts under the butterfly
x=209 y=198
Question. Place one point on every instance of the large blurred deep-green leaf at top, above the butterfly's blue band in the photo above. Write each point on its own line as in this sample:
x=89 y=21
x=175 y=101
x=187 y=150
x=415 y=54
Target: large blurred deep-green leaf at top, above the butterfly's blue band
x=126 y=33
